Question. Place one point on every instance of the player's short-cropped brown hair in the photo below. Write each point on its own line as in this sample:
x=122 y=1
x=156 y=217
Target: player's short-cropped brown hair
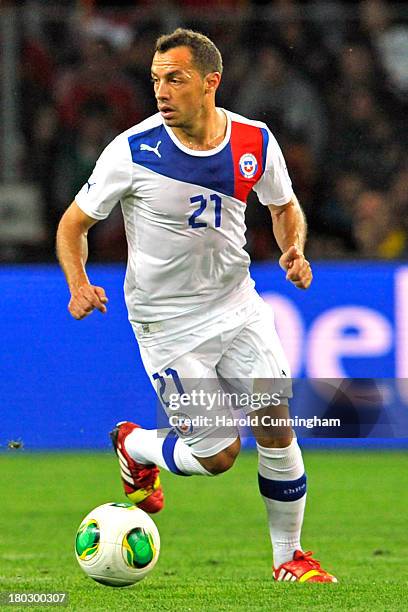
x=206 y=56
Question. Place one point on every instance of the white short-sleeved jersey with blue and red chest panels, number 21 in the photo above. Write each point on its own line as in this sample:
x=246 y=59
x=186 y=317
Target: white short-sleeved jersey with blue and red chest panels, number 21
x=184 y=213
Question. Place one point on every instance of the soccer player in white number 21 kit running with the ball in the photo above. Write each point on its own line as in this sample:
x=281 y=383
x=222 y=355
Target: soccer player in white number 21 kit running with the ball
x=182 y=177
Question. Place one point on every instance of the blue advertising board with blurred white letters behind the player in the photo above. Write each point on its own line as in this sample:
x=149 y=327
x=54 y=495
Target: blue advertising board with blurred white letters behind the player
x=64 y=383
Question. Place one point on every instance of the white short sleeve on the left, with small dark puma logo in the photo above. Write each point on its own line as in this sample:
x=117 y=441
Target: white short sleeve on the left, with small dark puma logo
x=110 y=181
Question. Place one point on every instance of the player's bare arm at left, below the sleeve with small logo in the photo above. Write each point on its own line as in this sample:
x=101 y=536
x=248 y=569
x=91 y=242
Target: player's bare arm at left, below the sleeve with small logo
x=72 y=253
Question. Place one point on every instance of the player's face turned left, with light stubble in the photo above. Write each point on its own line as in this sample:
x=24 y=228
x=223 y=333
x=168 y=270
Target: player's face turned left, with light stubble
x=178 y=86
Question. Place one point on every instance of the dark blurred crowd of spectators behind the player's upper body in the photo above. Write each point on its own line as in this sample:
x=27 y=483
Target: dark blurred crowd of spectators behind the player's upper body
x=329 y=78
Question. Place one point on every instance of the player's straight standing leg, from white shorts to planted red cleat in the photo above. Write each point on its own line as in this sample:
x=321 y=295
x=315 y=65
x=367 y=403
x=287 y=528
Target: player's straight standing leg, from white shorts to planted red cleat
x=253 y=361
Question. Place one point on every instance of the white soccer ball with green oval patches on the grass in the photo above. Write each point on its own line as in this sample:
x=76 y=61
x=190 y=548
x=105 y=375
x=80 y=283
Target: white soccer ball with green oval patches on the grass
x=117 y=544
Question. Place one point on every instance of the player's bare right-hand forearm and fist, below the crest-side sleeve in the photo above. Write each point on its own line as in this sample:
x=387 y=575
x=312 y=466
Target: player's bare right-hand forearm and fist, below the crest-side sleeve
x=289 y=228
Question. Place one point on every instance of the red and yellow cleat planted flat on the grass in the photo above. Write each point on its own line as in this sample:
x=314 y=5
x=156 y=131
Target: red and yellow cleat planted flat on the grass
x=302 y=569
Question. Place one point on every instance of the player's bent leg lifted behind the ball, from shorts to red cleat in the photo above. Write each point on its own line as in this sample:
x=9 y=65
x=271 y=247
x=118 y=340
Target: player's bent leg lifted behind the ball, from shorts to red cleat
x=201 y=448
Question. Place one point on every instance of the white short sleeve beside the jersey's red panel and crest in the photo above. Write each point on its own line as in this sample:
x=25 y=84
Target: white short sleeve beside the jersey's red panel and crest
x=274 y=186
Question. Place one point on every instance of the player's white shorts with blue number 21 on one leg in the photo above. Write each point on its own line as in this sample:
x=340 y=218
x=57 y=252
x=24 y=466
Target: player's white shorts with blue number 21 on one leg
x=237 y=366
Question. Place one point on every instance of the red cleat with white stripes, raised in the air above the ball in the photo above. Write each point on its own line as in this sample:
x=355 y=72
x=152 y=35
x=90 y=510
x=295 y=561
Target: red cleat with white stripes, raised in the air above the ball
x=141 y=482
